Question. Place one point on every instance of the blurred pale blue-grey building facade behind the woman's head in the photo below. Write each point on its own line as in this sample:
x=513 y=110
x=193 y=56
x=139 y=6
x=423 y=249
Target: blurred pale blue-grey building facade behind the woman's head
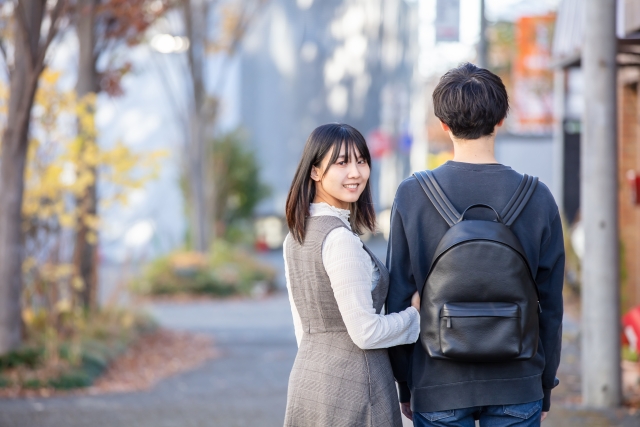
x=306 y=63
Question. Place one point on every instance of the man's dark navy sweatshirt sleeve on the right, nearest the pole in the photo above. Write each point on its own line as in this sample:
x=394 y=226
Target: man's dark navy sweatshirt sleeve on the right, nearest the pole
x=550 y=280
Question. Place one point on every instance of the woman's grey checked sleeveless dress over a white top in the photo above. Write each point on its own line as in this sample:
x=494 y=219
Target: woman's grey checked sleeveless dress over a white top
x=333 y=382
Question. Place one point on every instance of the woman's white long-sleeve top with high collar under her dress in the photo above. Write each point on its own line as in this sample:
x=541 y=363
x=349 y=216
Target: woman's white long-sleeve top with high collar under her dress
x=353 y=275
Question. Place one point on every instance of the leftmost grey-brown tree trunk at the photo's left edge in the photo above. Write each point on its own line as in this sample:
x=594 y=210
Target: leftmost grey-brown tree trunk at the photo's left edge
x=23 y=85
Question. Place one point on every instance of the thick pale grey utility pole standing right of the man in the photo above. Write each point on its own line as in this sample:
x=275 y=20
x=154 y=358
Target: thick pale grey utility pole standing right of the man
x=599 y=193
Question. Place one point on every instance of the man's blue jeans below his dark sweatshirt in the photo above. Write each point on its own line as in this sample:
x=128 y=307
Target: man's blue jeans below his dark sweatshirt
x=520 y=415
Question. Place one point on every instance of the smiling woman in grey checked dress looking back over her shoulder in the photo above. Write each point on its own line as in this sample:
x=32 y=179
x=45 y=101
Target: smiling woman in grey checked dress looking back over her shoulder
x=337 y=288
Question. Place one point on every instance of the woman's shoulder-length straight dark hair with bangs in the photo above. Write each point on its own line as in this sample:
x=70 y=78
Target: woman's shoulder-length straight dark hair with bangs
x=303 y=189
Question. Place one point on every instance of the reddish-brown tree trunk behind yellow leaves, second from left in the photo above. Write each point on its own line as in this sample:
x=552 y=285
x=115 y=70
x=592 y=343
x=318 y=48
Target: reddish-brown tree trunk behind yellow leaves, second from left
x=85 y=252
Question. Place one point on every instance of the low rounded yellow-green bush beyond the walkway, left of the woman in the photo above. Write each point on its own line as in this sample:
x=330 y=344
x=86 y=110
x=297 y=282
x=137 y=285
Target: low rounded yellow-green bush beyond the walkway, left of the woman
x=227 y=270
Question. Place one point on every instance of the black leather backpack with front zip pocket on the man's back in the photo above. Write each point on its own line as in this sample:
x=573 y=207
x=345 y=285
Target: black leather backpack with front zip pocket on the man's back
x=480 y=301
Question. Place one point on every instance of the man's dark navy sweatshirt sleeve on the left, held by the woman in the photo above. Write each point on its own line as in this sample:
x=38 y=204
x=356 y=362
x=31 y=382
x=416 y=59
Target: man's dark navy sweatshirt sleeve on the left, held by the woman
x=402 y=286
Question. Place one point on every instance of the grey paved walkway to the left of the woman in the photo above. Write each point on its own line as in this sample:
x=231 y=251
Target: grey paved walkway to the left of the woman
x=245 y=386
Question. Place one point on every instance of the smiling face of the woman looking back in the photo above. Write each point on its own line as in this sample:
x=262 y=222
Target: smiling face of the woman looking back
x=341 y=183
